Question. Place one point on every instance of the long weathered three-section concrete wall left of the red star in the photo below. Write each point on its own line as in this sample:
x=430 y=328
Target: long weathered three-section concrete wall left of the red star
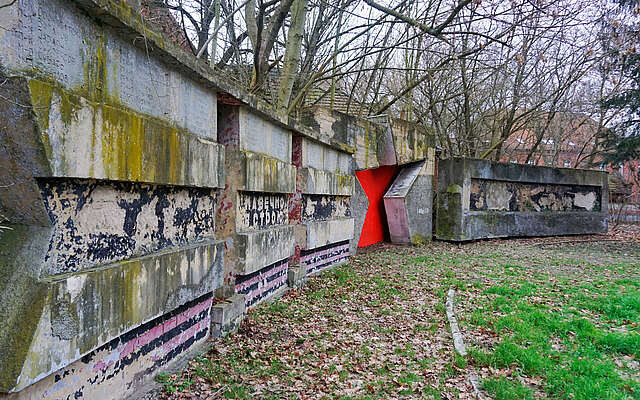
x=139 y=186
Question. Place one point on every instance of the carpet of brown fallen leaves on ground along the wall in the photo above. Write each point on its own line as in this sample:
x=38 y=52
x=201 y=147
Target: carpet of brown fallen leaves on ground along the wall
x=376 y=327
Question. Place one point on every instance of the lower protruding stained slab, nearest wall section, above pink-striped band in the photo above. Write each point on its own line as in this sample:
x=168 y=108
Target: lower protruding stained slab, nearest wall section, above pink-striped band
x=85 y=310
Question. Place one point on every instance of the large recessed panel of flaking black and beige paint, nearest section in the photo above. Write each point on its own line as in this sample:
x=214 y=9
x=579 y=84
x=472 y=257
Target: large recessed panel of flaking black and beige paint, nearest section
x=98 y=222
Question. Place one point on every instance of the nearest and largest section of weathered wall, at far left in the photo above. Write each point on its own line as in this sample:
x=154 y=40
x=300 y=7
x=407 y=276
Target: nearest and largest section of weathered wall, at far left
x=109 y=183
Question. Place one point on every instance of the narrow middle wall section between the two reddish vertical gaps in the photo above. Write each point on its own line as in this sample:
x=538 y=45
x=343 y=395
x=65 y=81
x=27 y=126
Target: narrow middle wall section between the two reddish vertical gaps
x=253 y=211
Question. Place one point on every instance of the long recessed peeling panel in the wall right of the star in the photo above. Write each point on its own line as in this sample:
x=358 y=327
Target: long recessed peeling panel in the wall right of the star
x=515 y=196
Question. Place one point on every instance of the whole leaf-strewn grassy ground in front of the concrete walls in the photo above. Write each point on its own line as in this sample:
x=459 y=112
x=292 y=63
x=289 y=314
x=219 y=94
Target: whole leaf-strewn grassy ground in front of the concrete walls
x=540 y=321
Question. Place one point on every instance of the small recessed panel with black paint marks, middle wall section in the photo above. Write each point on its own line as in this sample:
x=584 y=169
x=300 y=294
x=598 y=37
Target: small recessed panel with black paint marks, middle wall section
x=260 y=210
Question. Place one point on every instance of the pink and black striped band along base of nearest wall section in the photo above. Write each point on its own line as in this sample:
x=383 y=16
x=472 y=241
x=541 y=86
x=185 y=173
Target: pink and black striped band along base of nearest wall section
x=115 y=366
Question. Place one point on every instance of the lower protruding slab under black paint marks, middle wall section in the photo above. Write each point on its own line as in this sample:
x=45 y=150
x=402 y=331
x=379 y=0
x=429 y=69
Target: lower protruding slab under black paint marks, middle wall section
x=258 y=249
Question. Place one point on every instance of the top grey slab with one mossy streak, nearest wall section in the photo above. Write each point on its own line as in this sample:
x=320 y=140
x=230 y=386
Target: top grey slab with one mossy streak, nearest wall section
x=60 y=43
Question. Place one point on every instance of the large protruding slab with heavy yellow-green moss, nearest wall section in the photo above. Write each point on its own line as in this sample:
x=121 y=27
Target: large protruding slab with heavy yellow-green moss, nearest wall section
x=83 y=139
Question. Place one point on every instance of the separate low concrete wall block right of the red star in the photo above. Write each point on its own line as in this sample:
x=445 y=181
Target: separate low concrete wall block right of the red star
x=482 y=199
